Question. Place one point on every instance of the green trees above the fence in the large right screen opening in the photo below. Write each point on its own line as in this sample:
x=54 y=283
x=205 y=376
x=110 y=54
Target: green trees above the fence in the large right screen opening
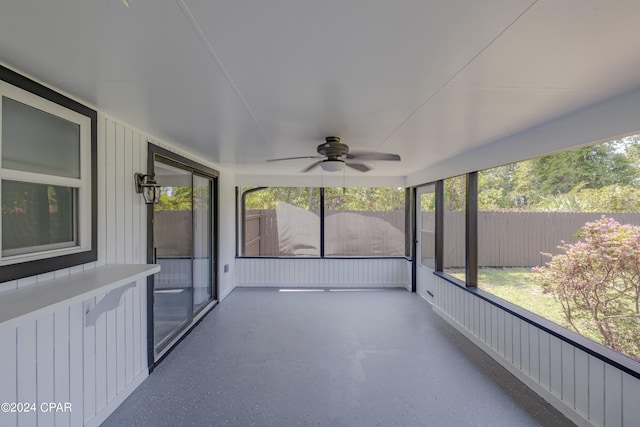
x=603 y=177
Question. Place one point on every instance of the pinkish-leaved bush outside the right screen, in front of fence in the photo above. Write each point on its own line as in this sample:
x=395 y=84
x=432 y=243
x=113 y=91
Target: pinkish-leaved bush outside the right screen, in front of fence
x=597 y=282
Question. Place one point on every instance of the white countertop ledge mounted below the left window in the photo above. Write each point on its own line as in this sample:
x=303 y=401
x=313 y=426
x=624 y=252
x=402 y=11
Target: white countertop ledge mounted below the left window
x=19 y=305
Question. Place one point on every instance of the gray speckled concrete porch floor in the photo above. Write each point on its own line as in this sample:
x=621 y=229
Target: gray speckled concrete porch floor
x=367 y=358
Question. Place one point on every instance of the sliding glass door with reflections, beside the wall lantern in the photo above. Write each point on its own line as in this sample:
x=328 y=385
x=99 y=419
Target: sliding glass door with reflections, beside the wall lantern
x=183 y=247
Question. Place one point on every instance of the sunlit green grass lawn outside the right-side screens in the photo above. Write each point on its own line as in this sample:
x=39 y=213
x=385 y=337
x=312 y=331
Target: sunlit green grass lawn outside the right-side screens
x=517 y=286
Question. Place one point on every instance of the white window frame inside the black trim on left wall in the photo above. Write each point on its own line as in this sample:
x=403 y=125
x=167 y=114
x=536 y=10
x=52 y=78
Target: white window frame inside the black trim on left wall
x=82 y=222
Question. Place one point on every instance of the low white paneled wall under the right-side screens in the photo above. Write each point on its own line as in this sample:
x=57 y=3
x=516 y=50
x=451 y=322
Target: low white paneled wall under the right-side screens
x=583 y=387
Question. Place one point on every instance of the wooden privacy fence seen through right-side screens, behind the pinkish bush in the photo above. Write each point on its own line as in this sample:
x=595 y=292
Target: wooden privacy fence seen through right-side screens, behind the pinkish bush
x=517 y=239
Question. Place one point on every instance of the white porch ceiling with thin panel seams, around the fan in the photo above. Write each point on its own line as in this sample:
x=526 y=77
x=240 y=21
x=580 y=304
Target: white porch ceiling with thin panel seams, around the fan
x=238 y=82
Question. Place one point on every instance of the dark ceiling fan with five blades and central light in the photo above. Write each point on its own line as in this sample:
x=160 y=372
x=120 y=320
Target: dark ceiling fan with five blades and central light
x=336 y=155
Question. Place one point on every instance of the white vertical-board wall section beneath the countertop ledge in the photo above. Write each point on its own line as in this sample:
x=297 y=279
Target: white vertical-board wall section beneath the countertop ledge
x=53 y=358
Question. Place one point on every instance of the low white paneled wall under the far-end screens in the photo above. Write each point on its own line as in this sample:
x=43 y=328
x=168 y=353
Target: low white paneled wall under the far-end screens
x=323 y=272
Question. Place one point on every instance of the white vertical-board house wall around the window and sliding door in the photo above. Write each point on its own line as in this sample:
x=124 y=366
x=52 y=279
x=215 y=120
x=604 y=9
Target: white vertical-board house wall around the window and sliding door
x=56 y=357
